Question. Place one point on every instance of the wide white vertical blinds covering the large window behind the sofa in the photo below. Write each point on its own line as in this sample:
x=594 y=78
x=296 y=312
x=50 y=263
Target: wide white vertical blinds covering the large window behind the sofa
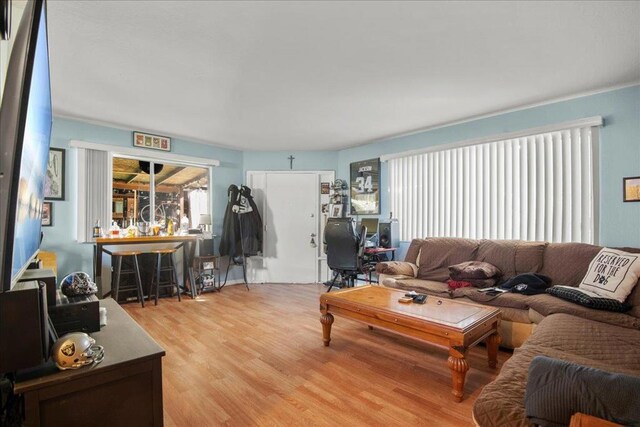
x=536 y=187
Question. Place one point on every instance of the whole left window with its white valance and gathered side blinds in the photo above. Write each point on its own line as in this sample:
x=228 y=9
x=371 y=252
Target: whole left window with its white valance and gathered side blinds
x=187 y=177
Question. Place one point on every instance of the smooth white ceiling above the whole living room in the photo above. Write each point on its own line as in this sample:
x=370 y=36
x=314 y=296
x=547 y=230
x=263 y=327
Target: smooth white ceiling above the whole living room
x=327 y=75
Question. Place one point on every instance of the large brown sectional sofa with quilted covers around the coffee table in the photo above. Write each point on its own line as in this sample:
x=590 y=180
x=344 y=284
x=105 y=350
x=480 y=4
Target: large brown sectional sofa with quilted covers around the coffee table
x=533 y=325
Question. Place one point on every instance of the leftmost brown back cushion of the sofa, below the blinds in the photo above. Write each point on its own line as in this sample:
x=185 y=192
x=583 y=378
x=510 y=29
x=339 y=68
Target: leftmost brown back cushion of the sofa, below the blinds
x=438 y=253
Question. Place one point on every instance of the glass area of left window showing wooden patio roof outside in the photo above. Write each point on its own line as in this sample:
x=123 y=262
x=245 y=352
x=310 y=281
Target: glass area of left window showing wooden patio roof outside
x=156 y=191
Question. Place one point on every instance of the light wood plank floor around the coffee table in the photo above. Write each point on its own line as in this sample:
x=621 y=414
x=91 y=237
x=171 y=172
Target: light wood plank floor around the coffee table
x=256 y=358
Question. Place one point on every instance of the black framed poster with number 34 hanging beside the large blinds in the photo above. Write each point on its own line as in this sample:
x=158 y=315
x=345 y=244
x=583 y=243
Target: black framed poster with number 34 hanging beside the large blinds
x=365 y=187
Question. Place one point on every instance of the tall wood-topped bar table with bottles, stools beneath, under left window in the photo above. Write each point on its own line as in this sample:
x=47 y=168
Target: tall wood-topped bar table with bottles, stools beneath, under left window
x=187 y=243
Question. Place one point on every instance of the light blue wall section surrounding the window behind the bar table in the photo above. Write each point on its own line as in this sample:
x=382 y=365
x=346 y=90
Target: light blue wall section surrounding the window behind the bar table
x=60 y=237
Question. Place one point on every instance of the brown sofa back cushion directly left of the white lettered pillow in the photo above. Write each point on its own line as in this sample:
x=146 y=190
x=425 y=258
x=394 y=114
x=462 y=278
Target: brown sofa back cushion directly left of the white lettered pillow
x=567 y=263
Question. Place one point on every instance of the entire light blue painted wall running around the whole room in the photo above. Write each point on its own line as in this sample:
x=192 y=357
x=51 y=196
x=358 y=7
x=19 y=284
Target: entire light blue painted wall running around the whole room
x=619 y=157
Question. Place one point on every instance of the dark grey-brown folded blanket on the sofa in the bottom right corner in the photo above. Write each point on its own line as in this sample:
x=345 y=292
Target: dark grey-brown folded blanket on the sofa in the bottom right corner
x=557 y=389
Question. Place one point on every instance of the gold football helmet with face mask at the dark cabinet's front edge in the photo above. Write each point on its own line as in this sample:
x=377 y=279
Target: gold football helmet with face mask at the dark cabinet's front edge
x=75 y=350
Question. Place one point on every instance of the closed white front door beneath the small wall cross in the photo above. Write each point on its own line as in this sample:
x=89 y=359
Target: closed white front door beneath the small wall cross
x=291 y=217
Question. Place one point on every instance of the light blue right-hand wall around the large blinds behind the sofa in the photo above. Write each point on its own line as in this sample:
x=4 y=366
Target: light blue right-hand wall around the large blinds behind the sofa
x=619 y=151
